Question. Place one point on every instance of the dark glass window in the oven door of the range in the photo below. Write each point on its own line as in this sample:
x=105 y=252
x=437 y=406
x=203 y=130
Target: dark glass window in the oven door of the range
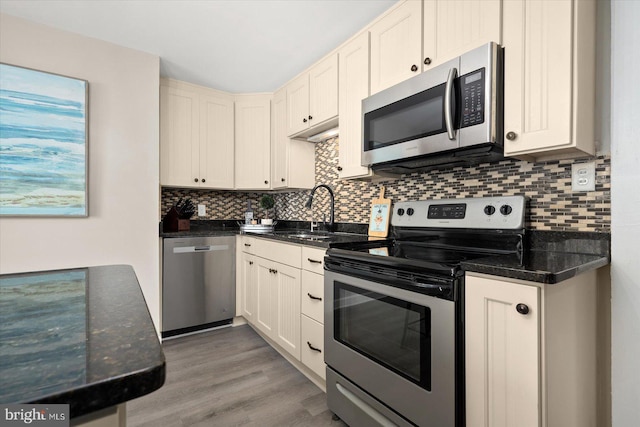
x=394 y=333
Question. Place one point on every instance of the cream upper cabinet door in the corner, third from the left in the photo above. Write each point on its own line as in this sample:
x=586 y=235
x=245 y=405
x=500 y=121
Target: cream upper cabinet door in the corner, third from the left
x=253 y=142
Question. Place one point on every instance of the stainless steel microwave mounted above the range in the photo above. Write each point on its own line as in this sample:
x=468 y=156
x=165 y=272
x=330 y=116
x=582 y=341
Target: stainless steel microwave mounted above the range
x=448 y=116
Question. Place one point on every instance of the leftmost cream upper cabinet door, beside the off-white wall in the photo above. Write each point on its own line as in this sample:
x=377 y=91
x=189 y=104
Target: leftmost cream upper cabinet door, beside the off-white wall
x=179 y=134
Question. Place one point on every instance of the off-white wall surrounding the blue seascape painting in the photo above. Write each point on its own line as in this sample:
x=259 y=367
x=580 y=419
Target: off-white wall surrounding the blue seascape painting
x=122 y=227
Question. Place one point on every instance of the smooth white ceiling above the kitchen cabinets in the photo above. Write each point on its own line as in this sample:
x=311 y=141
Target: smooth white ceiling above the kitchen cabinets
x=237 y=46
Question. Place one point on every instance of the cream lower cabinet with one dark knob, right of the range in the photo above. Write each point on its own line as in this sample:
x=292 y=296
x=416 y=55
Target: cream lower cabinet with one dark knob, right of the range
x=530 y=351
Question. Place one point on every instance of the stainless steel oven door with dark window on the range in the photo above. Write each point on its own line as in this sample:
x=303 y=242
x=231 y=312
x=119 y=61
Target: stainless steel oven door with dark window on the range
x=396 y=345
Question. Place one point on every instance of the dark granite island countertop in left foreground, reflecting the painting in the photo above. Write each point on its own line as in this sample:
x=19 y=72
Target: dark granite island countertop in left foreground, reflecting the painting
x=83 y=337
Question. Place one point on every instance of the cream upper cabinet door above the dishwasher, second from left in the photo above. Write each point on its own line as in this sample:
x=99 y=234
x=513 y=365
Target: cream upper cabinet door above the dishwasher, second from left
x=216 y=142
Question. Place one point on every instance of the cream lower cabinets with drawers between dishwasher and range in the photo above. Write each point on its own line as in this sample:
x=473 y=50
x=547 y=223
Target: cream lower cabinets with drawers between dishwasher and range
x=281 y=290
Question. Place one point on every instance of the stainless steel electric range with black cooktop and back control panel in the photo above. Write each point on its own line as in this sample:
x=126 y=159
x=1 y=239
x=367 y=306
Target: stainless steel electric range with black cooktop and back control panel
x=394 y=310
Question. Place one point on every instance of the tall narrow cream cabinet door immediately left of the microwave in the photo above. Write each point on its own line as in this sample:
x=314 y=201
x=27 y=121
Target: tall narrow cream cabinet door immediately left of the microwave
x=353 y=88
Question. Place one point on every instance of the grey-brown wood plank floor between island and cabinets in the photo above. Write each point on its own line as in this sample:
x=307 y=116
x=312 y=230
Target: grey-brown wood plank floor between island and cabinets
x=230 y=377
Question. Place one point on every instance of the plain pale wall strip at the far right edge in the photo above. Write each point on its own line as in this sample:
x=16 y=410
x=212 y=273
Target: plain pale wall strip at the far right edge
x=625 y=213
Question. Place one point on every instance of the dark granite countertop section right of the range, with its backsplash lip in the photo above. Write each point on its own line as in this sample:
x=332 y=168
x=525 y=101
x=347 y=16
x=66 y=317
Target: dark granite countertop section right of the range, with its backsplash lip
x=550 y=257
